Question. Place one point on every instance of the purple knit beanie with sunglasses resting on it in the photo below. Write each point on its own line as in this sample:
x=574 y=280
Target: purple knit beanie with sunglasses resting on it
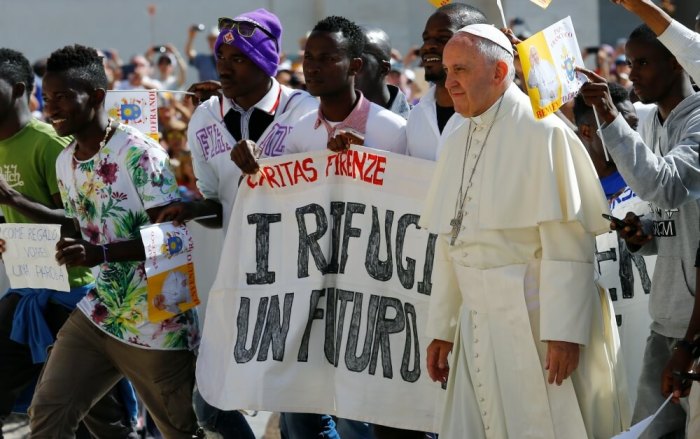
x=259 y=48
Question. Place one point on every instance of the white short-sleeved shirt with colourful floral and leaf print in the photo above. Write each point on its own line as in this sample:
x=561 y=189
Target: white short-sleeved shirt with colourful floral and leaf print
x=109 y=195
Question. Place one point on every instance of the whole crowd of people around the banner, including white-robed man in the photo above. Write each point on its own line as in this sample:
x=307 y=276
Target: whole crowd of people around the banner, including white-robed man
x=516 y=202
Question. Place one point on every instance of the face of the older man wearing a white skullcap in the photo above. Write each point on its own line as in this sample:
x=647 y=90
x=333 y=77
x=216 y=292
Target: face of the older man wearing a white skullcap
x=470 y=78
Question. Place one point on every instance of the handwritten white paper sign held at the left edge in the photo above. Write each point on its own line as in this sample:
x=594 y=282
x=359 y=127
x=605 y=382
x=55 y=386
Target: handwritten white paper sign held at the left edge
x=30 y=256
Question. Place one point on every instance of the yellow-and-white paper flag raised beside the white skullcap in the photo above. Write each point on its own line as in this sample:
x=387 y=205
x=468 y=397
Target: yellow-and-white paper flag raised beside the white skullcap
x=548 y=59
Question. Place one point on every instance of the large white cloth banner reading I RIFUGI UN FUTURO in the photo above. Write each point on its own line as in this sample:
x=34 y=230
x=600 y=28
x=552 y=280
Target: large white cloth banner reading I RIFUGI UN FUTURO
x=321 y=298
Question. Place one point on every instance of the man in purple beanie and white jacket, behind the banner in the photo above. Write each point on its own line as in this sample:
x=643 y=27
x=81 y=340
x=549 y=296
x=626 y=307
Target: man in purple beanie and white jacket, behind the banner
x=254 y=107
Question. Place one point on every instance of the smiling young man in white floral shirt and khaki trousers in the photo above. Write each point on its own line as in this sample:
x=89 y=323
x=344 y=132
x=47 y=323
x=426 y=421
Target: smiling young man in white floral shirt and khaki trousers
x=112 y=180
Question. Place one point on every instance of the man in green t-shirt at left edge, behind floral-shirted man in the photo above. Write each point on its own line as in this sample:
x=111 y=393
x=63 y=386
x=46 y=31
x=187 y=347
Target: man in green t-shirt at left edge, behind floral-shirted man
x=31 y=317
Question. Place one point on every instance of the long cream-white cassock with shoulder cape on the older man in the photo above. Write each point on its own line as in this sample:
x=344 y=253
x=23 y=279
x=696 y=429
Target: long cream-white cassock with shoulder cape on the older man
x=521 y=273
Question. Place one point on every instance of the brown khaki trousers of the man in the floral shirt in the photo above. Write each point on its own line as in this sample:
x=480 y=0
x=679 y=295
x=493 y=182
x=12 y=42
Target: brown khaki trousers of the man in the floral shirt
x=86 y=362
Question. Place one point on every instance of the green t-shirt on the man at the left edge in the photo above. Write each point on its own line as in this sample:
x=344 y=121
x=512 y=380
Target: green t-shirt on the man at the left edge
x=28 y=165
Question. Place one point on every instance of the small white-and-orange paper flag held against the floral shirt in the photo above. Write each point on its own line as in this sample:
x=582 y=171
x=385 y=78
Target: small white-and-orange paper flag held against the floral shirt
x=169 y=270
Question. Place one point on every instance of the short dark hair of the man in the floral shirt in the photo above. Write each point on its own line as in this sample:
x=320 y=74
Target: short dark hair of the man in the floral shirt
x=83 y=63
